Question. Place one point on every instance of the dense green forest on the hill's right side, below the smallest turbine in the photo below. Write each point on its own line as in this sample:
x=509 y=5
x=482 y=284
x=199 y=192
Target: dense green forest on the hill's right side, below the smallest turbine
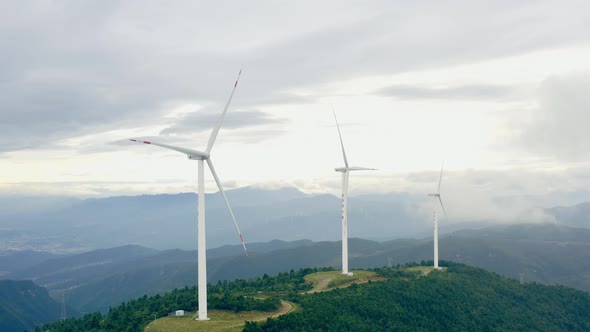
x=462 y=298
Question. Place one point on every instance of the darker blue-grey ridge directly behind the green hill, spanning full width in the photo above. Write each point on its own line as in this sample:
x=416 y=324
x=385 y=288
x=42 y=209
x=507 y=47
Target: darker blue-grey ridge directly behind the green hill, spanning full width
x=545 y=253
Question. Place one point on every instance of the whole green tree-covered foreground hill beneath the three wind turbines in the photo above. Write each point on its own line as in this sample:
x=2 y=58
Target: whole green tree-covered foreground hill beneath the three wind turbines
x=459 y=298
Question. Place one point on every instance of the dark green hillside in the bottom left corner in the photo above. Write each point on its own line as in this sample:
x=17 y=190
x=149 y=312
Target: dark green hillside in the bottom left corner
x=24 y=305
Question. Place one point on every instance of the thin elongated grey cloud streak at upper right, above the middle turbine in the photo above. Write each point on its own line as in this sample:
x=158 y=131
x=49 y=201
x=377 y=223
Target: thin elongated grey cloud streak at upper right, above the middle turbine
x=476 y=91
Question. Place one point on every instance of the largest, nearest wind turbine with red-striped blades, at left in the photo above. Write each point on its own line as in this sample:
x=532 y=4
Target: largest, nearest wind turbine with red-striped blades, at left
x=201 y=157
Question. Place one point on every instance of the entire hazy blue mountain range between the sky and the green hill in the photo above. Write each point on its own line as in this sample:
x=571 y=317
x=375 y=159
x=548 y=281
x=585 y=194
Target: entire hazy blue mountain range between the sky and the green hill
x=60 y=244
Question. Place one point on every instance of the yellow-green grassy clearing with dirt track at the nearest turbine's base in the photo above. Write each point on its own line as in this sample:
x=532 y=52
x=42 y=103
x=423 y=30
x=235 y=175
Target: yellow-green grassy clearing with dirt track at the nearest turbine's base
x=220 y=320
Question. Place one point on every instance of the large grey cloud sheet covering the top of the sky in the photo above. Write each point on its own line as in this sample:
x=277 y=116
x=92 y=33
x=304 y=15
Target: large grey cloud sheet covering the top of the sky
x=74 y=69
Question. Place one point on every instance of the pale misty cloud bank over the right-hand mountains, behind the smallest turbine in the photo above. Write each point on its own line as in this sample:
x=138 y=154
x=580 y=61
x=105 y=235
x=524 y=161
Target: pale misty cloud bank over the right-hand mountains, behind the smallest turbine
x=500 y=196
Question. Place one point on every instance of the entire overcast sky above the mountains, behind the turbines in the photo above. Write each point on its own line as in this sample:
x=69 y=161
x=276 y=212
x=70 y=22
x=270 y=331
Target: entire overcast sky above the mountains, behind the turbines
x=498 y=89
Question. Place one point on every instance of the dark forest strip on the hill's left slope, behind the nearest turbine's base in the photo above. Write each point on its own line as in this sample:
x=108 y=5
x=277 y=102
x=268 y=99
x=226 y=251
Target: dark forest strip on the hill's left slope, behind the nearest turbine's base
x=236 y=295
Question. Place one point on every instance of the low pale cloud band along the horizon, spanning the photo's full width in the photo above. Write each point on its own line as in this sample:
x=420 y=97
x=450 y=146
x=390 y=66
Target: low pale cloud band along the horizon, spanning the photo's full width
x=511 y=196
